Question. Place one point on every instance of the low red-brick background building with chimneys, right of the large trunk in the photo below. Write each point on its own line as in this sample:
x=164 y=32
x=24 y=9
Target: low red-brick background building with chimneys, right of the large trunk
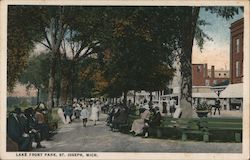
x=202 y=76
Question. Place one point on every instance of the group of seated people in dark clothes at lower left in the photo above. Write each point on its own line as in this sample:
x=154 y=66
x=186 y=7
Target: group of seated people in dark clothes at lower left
x=25 y=127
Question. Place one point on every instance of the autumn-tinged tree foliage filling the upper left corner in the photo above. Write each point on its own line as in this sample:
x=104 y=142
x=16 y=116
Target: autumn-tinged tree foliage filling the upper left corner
x=19 y=30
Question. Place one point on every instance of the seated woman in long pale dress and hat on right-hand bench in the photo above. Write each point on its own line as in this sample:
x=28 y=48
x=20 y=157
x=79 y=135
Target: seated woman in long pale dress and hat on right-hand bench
x=139 y=124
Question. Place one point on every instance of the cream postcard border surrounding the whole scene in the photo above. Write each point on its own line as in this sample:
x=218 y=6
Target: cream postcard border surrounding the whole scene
x=128 y=155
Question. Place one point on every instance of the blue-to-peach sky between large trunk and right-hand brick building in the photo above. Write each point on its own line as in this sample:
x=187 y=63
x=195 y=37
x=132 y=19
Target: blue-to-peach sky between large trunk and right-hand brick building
x=215 y=52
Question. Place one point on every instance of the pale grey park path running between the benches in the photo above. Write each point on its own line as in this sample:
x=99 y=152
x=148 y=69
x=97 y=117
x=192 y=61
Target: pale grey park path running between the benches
x=73 y=137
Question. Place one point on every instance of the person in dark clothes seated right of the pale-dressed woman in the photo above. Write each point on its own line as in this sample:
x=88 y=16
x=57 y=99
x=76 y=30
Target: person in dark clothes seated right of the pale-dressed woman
x=154 y=121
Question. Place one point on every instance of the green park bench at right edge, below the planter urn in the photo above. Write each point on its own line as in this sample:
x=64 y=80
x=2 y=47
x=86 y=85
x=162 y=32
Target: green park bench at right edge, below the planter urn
x=223 y=129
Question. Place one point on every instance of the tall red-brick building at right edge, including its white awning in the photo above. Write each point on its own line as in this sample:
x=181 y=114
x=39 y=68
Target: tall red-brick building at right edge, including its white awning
x=234 y=91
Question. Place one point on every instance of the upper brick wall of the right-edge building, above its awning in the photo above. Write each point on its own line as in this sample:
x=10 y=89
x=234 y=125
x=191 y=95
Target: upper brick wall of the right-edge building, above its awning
x=236 y=52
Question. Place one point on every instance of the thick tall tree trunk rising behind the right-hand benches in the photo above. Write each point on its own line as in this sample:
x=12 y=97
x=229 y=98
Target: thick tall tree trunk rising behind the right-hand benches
x=192 y=14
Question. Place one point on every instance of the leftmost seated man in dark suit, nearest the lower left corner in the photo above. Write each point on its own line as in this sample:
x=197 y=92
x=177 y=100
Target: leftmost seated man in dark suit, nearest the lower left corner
x=16 y=132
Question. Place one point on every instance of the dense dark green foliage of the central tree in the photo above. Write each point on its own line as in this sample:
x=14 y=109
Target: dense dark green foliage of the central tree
x=140 y=60
